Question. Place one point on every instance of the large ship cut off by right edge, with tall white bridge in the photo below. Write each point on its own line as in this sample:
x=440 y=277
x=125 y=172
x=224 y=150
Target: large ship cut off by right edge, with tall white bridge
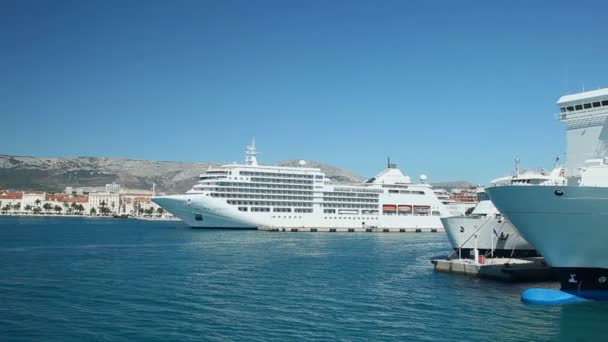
x=567 y=224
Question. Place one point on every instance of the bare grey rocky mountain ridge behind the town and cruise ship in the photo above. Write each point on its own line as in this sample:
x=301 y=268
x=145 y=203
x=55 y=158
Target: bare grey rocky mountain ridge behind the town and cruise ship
x=54 y=174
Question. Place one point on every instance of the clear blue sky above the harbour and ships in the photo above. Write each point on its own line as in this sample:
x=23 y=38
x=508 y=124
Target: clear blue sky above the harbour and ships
x=453 y=89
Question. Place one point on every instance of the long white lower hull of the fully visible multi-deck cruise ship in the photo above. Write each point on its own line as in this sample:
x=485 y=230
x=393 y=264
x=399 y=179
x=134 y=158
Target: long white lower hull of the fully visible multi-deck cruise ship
x=216 y=214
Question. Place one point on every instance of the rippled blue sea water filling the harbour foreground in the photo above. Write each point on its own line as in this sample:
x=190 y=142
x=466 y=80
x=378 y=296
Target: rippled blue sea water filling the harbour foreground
x=74 y=279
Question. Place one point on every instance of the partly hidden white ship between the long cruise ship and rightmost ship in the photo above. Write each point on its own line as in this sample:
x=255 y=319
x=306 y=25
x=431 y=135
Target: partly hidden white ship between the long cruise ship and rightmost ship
x=487 y=230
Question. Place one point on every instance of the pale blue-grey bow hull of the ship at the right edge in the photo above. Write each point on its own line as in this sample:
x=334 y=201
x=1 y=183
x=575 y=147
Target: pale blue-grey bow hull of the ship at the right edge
x=567 y=224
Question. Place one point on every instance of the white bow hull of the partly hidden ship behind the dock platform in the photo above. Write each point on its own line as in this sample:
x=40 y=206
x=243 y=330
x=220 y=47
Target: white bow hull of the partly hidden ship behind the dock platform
x=496 y=237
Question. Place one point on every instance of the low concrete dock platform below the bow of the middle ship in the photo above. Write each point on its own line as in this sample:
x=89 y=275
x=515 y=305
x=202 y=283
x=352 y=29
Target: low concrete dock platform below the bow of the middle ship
x=503 y=269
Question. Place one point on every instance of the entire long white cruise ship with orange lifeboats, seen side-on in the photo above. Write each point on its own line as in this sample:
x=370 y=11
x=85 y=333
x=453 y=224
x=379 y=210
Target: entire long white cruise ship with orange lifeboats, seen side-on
x=252 y=196
